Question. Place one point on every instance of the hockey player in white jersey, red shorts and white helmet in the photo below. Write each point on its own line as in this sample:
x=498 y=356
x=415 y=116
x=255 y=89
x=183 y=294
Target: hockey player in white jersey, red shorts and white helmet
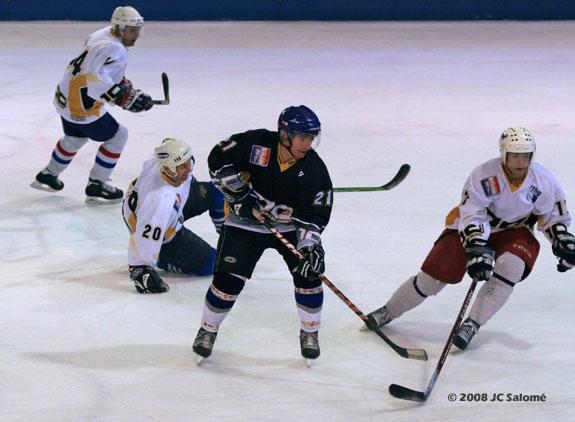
x=490 y=234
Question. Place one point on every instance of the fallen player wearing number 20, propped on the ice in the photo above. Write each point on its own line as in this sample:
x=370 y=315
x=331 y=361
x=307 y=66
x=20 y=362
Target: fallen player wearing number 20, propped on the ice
x=157 y=203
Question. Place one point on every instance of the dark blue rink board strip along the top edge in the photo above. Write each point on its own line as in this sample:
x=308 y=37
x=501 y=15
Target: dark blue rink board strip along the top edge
x=292 y=9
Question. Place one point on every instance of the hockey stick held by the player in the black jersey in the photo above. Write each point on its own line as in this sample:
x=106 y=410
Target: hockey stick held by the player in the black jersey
x=419 y=354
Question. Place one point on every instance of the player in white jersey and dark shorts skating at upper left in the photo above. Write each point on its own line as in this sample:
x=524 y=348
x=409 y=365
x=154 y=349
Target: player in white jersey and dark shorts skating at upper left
x=94 y=78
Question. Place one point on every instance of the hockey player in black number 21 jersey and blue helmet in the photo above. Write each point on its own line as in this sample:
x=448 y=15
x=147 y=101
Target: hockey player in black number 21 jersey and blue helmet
x=280 y=176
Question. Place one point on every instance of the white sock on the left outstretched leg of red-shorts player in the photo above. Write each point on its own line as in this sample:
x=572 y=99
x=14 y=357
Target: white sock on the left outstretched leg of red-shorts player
x=412 y=293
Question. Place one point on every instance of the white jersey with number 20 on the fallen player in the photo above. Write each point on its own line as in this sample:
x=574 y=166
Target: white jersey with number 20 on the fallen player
x=152 y=209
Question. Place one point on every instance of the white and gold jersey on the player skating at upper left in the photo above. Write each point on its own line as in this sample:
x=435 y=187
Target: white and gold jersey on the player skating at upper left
x=90 y=79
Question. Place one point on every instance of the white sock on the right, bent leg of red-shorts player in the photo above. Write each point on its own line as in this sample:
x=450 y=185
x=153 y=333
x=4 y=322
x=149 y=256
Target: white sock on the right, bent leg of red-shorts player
x=495 y=292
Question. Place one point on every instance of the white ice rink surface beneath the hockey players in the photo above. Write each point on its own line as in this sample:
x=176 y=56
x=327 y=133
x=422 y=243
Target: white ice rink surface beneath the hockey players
x=79 y=344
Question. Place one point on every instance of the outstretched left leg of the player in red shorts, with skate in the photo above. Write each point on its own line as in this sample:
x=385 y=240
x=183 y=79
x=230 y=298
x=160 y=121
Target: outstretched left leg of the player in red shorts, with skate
x=445 y=264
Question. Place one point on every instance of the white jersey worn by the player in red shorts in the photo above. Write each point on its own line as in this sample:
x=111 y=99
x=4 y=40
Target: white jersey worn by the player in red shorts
x=492 y=203
